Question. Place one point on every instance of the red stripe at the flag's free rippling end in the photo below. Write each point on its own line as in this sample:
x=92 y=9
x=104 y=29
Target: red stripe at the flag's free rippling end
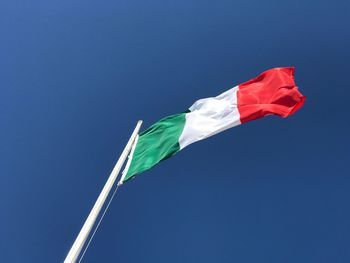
x=272 y=92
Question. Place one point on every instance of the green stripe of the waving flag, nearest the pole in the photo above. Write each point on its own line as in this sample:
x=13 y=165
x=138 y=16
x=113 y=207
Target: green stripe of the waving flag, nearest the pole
x=157 y=143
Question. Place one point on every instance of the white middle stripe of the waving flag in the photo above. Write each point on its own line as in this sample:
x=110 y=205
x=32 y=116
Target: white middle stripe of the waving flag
x=210 y=116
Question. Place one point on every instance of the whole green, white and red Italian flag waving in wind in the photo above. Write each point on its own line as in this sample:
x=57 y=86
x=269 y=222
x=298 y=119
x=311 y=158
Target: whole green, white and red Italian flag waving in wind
x=271 y=93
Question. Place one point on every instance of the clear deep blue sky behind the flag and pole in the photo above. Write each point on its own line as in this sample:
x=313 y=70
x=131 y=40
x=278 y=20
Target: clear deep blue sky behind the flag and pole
x=75 y=76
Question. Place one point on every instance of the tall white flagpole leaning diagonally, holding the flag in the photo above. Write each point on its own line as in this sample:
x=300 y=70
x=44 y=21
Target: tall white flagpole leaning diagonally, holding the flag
x=84 y=232
